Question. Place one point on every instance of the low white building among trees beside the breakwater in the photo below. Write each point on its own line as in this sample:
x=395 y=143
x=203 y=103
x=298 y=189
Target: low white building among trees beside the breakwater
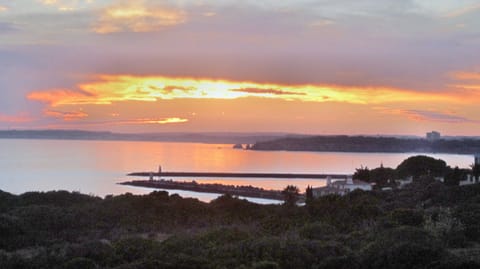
x=341 y=187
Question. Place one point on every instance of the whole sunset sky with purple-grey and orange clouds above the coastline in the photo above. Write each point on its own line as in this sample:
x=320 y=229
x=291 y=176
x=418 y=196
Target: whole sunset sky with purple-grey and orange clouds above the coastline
x=391 y=67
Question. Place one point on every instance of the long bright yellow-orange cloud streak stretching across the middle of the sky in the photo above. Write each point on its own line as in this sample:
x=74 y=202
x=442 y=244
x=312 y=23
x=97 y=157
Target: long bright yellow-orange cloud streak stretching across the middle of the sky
x=106 y=89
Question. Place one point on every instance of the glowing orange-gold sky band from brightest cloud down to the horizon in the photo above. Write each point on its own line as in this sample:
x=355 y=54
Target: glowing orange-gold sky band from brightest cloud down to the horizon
x=183 y=103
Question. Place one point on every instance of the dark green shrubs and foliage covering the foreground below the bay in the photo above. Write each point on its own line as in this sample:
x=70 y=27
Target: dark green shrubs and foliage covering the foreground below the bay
x=426 y=225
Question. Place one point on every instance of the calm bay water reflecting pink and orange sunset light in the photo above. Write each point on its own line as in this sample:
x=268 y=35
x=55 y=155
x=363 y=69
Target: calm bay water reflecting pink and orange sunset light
x=96 y=166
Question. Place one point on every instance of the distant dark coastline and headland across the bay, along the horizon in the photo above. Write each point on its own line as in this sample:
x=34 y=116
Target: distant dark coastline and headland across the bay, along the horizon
x=273 y=141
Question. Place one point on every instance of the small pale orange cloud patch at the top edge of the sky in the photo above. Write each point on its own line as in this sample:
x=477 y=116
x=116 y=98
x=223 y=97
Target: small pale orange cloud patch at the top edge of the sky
x=136 y=16
